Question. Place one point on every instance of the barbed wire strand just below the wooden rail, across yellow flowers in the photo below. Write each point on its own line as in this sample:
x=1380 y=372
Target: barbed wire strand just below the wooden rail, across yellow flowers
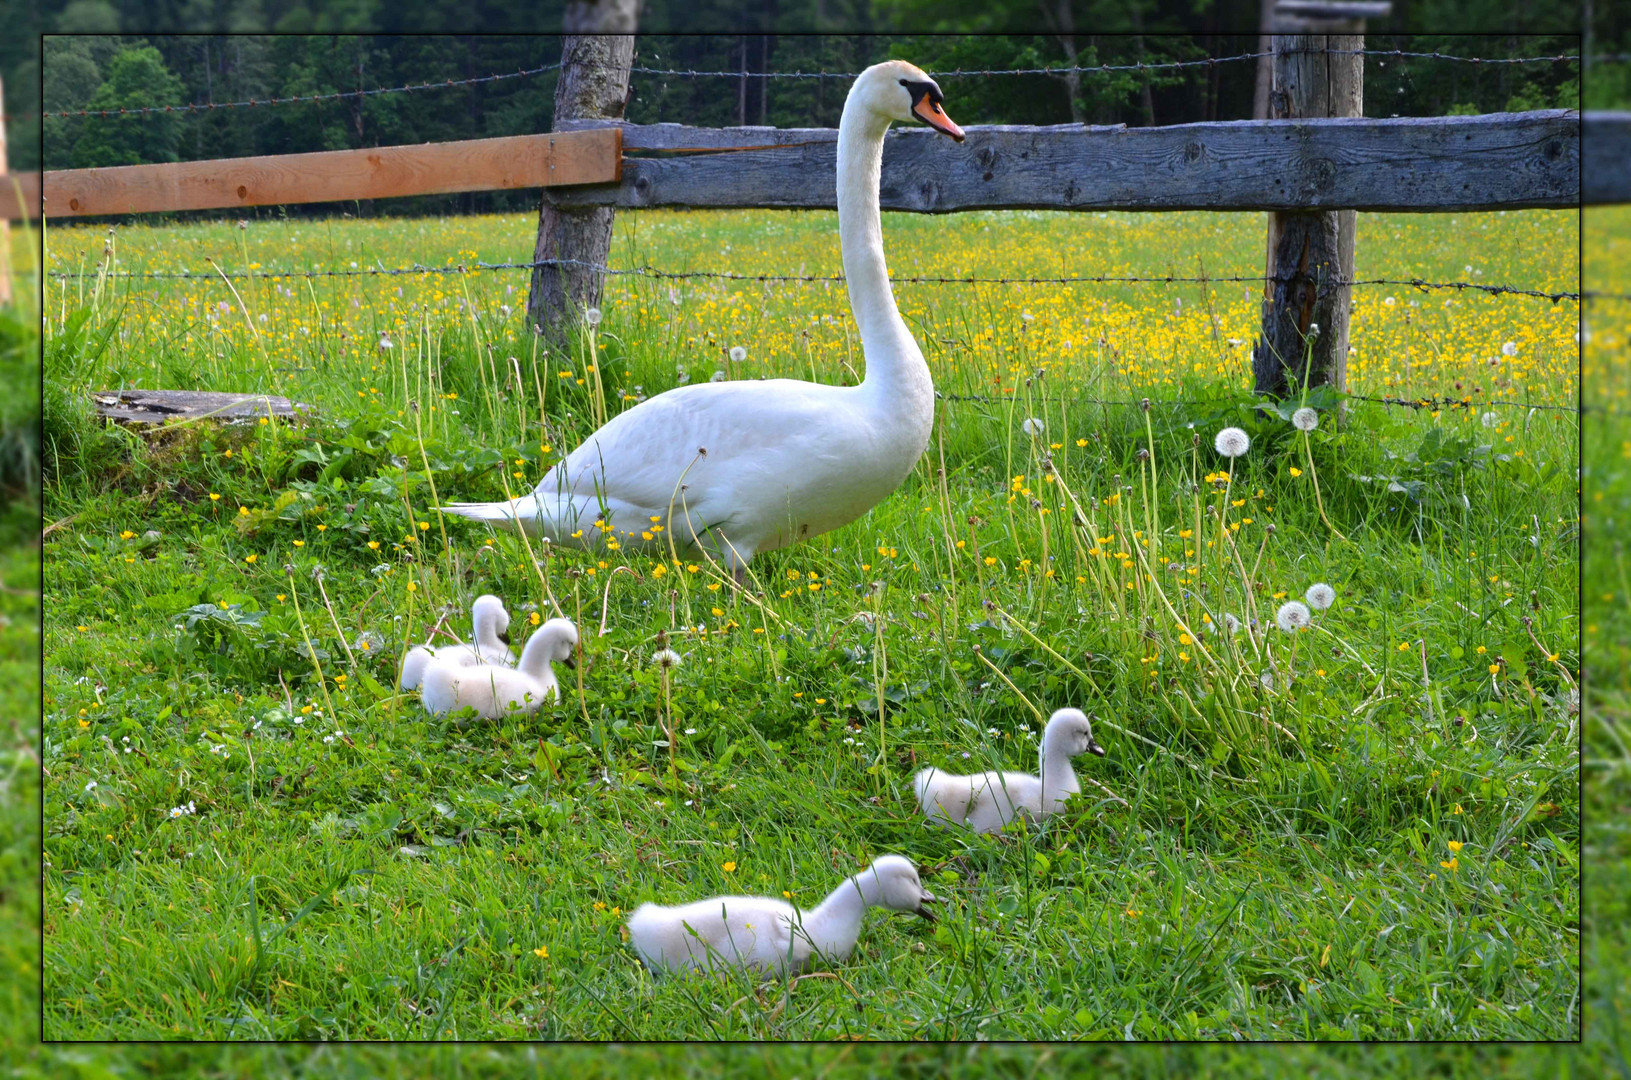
x=929 y=280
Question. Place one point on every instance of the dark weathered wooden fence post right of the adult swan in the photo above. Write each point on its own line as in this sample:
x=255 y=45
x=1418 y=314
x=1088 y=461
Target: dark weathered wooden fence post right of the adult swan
x=1317 y=73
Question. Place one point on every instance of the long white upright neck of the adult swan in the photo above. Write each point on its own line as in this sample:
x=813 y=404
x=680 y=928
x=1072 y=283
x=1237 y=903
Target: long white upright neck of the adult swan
x=895 y=366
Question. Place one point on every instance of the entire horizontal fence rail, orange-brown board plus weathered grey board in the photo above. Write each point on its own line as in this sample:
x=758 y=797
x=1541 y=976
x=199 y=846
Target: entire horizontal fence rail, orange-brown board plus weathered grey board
x=1505 y=161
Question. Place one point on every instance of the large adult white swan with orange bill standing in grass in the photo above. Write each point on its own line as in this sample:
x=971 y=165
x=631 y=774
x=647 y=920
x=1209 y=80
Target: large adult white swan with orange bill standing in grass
x=746 y=467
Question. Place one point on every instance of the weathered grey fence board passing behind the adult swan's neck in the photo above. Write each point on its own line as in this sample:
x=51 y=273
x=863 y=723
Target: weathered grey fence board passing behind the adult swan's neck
x=1443 y=164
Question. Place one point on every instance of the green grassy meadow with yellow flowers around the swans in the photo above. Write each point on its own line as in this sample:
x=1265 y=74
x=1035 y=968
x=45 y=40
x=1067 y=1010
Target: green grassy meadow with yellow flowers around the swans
x=1369 y=830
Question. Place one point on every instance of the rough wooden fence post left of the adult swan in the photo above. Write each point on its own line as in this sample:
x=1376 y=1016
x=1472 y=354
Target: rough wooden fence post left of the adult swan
x=596 y=56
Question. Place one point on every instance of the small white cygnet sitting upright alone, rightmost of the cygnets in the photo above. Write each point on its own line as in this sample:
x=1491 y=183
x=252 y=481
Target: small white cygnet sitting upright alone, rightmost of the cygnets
x=991 y=800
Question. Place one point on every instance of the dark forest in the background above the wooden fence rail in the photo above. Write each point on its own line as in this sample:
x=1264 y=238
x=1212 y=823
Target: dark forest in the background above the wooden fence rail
x=123 y=55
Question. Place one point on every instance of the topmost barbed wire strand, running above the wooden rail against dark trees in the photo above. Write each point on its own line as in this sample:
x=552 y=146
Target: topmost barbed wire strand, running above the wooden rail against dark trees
x=1074 y=69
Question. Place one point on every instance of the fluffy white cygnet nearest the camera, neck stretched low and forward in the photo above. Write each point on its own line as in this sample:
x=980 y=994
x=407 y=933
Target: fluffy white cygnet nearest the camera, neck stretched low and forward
x=772 y=936
